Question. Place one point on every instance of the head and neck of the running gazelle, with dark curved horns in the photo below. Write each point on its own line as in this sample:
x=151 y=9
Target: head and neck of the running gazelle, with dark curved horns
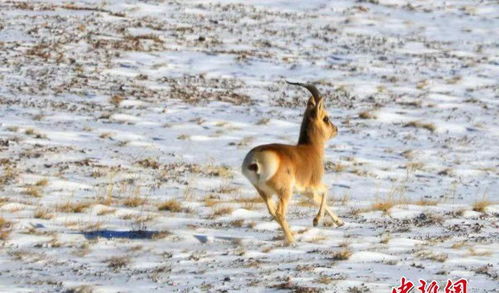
x=316 y=127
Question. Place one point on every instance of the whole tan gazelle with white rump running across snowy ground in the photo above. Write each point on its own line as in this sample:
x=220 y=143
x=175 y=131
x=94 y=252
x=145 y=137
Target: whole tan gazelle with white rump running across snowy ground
x=283 y=169
